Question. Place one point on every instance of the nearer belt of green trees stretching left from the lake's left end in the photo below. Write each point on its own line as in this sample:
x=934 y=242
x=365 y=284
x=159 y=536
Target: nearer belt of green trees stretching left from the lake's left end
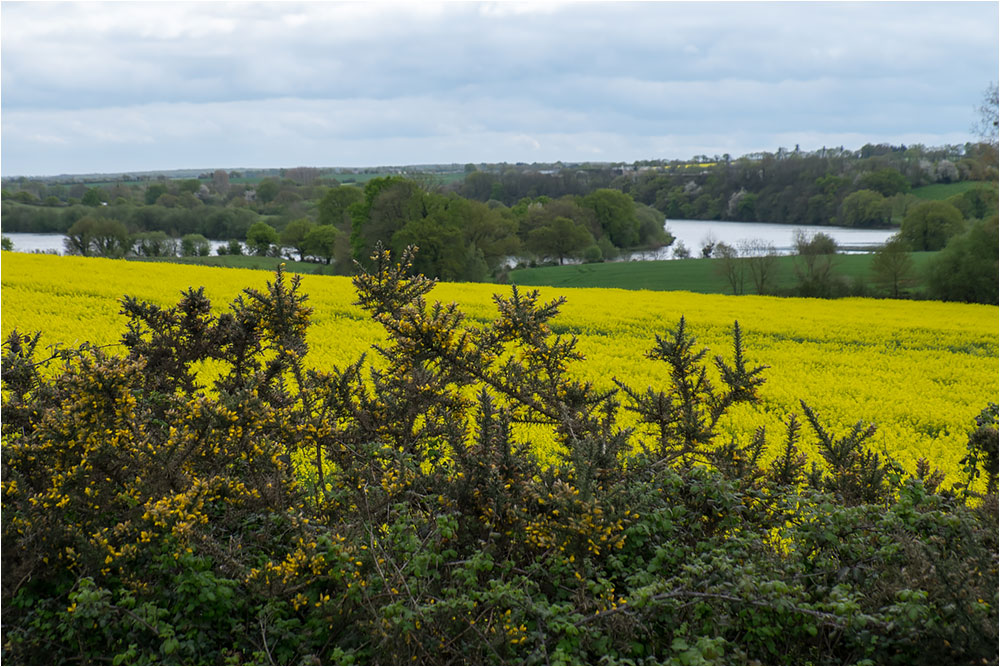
x=462 y=239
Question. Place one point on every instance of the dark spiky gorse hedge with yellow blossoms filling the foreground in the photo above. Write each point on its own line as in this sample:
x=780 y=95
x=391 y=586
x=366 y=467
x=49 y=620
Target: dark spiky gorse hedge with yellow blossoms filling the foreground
x=205 y=498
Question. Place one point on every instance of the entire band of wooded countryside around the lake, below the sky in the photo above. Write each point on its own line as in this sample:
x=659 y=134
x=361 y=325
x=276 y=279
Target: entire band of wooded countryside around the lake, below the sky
x=471 y=229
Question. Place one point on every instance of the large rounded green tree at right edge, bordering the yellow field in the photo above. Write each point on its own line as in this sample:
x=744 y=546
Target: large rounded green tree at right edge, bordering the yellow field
x=967 y=270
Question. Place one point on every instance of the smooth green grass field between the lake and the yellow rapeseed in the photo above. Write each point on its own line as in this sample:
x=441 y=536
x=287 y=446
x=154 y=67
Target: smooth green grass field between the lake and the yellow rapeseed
x=692 y=275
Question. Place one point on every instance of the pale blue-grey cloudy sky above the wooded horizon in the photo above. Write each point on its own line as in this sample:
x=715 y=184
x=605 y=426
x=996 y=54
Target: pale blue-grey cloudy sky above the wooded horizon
x=144 y=86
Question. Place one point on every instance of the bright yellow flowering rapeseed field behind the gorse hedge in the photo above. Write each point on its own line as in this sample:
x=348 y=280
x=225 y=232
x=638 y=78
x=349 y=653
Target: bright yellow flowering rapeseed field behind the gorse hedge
x=921 y=371
